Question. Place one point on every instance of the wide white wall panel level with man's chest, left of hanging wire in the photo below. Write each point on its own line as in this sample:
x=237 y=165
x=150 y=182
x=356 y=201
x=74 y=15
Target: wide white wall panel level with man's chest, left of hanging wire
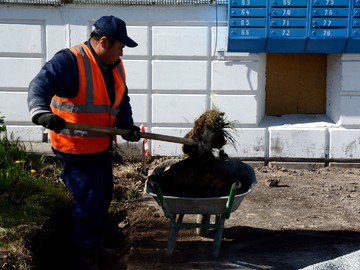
x=179 y=75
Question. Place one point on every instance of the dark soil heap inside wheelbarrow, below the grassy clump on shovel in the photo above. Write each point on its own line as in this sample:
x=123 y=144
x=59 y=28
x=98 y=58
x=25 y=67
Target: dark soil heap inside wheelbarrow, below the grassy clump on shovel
x=195 y=178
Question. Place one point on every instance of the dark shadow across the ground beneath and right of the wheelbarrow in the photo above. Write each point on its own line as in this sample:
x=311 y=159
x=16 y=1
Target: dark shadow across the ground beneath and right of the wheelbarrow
x=248 y=248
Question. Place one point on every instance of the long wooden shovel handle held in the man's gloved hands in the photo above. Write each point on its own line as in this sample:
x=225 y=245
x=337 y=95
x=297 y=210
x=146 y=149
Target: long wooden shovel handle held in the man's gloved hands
x=116 y=131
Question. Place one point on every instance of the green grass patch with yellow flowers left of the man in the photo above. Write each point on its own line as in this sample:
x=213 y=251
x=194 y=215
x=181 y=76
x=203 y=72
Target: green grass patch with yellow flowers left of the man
x=25 y=195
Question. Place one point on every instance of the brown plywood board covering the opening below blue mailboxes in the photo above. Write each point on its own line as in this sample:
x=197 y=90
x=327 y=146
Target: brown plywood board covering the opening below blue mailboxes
x=295 y=84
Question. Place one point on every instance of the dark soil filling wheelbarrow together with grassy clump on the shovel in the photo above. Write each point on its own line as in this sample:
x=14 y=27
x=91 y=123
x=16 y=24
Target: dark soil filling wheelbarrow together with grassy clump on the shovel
x=202 y=174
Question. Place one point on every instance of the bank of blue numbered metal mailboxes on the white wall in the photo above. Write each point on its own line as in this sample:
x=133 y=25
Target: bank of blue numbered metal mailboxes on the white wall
x=303 y=26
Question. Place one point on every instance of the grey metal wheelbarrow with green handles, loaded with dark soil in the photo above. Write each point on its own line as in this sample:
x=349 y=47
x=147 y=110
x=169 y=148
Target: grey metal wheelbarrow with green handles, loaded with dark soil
x=175 y=208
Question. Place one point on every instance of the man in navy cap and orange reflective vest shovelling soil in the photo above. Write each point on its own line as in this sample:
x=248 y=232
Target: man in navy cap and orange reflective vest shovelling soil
x=86 y=84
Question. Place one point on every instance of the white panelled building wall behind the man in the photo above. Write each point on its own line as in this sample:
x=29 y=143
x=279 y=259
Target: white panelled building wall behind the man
x=178 y=71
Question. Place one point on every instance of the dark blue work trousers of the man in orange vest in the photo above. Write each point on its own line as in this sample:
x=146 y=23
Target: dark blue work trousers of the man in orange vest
x=90 y=181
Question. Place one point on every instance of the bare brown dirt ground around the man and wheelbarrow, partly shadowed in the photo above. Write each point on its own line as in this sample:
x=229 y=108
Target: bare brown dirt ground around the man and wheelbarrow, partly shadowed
x=292 y=218
